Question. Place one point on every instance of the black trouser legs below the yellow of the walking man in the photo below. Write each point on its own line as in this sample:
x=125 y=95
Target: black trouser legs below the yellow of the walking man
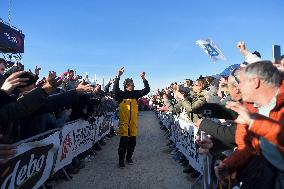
x=126 y=147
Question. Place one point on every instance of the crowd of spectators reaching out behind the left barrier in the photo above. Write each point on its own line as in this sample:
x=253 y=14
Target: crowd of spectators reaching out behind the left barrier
x=29 y=106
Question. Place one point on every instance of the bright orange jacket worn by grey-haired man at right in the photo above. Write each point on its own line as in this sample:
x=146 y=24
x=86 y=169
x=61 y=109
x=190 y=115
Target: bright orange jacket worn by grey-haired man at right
x=247 y=138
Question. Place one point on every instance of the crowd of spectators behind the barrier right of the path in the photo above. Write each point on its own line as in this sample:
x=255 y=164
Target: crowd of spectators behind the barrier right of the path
x=252 y=136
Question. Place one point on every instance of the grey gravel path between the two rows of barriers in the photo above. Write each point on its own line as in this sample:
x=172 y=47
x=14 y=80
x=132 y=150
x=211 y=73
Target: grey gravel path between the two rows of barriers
x=153 y=166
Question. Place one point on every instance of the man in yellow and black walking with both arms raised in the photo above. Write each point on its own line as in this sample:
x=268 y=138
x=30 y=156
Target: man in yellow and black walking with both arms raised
x=128 y=114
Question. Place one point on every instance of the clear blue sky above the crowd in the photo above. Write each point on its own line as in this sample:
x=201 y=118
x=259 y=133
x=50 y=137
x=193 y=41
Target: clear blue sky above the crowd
x=155 y=36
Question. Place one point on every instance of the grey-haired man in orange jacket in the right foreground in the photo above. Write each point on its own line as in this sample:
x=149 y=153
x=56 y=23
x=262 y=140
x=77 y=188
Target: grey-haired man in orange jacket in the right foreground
x=260 y=129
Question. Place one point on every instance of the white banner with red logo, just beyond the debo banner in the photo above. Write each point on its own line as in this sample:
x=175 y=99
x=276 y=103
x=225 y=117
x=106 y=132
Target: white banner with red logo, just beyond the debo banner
x=77 y=137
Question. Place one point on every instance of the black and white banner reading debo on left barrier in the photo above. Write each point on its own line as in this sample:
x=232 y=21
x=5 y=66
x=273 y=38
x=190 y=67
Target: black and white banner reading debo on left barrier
x=32 y=165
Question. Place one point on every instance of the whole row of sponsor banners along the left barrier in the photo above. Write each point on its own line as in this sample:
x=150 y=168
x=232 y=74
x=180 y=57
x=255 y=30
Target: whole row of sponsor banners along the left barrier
x=34 y=161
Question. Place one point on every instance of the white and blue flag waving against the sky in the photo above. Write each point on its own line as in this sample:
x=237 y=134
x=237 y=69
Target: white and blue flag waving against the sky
x=211 y=49
